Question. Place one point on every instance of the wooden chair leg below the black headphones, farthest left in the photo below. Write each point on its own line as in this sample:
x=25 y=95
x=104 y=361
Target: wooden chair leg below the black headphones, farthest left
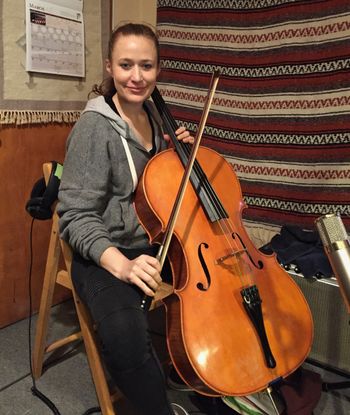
x=46 y=300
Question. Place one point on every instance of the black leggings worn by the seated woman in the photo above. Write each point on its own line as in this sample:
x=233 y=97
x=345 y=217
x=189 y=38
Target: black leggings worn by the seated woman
x=122 y=328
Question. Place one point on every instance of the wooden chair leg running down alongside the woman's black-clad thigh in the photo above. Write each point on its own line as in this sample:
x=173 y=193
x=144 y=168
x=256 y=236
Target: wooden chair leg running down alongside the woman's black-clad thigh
x=93 y=355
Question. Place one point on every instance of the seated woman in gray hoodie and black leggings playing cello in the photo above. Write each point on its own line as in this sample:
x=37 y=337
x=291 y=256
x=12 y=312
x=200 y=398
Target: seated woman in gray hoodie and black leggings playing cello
x=114 y=266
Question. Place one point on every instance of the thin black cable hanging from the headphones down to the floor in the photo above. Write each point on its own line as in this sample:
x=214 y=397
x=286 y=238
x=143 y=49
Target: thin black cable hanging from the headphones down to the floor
x=34 y=389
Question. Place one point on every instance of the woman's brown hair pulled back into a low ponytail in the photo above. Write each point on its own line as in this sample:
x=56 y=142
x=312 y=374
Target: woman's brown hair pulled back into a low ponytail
x=138 y=29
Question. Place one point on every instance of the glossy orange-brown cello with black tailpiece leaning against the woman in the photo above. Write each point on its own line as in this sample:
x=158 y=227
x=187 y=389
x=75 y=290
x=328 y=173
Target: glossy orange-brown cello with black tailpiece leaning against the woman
x=236 y=321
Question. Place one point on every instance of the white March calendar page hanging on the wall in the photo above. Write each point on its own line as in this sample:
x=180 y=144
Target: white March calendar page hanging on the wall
x=55 y=37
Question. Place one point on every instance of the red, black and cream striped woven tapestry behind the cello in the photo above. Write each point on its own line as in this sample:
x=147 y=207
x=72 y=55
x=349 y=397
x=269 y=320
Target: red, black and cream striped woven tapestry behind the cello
x=281 y=112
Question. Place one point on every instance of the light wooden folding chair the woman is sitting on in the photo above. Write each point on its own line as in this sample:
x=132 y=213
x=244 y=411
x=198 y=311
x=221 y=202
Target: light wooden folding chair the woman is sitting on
x=53 y=275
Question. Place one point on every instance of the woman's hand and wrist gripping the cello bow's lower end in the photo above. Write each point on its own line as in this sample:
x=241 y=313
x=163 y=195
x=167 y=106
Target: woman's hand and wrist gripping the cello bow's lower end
x=143 y=271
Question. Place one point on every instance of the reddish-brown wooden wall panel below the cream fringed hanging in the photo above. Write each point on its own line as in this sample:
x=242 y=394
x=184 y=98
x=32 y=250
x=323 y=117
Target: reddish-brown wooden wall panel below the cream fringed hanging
x=23 y=150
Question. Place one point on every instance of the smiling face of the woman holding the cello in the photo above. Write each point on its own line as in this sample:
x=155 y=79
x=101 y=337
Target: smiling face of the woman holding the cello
x=134 y=68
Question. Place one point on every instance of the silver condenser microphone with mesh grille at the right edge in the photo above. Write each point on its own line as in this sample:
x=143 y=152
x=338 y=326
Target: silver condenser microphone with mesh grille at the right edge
x=337 y=247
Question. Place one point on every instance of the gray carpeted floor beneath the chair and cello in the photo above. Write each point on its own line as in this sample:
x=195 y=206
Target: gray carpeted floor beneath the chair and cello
x=67 y=382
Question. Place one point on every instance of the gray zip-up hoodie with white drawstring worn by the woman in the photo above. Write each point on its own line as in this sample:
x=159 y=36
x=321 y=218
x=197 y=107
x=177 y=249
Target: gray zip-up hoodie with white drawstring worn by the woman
x=97 y=191
